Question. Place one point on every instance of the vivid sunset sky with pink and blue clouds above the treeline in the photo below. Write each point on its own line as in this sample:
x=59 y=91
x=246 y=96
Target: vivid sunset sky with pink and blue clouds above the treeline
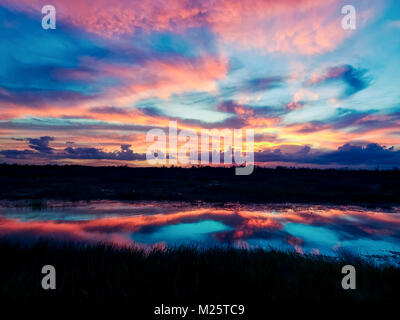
x=87 y=92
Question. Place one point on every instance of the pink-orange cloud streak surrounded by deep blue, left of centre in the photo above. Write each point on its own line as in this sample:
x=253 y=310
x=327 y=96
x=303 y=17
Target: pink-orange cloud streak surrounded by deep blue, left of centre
x=155 y=77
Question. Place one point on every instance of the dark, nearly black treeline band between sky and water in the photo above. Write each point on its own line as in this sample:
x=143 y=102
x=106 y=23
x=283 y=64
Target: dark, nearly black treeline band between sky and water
x=369 y=187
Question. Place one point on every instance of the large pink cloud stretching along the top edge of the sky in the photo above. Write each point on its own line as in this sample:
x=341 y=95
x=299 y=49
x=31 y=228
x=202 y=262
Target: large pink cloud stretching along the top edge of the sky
x=289 y=26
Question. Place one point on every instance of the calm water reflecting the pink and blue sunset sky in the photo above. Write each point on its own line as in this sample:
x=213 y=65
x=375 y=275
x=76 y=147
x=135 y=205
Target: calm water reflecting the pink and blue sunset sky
x=316 y=229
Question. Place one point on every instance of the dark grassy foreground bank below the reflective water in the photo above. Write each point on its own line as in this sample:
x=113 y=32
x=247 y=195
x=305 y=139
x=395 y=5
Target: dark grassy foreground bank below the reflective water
x=185 y=275
